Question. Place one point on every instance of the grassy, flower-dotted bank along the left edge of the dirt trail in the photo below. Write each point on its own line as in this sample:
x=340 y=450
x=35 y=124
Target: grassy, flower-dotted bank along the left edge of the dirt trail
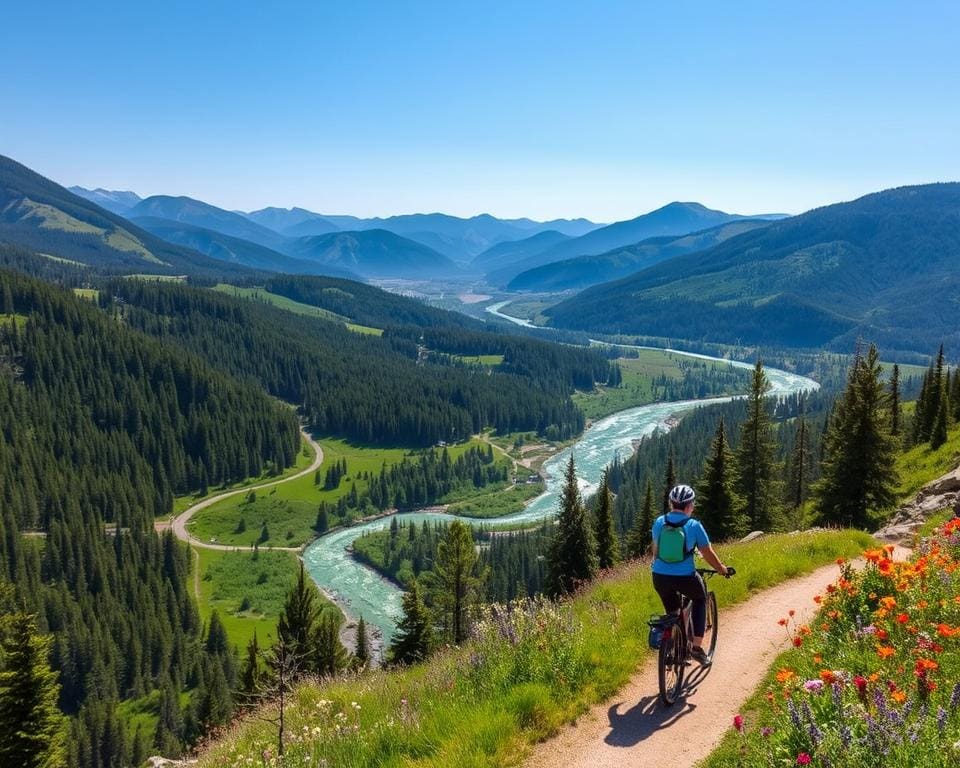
x=485 y=704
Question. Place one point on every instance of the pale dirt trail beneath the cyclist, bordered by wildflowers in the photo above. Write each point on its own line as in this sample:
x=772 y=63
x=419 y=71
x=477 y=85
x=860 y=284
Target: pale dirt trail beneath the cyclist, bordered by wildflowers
x=634 y=729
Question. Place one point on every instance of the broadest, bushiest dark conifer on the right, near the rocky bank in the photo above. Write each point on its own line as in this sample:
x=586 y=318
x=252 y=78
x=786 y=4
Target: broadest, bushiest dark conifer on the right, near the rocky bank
x=859 y=476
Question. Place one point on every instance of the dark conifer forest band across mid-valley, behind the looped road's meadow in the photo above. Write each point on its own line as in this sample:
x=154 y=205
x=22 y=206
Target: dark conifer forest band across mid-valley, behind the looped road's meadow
x=365 y=388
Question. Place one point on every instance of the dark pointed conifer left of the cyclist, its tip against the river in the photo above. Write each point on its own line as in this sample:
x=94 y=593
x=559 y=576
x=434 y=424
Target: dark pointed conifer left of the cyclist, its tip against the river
x=572 y=558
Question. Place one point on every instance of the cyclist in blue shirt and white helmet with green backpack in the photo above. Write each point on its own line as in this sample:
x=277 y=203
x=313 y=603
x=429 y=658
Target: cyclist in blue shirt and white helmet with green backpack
x=677 y=573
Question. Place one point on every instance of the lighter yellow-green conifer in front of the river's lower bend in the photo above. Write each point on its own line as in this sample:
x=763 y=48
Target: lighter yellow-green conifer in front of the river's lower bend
x=454 y=584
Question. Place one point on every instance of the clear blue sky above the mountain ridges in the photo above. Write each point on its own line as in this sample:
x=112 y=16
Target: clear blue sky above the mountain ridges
x=541 y=109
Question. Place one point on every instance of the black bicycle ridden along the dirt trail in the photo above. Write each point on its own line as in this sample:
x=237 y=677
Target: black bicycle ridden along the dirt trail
x=676 y=633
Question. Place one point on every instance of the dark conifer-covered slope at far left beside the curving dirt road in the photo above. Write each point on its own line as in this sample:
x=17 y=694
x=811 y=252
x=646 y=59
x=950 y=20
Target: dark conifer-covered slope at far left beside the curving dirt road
x=99 y=427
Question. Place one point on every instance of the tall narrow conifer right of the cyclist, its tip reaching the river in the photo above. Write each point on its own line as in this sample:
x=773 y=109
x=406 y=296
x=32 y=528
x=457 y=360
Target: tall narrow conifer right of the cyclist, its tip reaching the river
x=756 y=469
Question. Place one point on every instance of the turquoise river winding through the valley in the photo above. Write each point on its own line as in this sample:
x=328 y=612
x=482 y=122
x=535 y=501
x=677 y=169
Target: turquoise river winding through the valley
x=359 y=590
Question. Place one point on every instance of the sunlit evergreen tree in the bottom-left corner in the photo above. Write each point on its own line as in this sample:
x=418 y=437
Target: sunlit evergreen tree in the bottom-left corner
x=32 y=728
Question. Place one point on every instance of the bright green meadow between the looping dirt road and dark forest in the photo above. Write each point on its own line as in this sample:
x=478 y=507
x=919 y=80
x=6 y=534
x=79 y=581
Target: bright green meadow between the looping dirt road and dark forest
x=290 y=510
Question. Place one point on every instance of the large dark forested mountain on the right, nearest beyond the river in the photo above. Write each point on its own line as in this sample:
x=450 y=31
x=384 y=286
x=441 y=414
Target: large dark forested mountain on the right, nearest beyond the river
x=882 y=267
